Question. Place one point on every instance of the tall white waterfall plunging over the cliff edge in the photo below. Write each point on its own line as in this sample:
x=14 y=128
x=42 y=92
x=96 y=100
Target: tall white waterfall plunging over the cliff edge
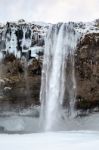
x=58 y=83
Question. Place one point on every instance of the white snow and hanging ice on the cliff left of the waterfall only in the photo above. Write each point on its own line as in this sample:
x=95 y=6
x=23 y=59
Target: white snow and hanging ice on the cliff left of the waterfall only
x=9 y=37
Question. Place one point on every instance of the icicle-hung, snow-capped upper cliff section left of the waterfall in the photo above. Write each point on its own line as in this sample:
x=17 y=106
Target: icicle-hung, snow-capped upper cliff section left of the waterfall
x=22 y=39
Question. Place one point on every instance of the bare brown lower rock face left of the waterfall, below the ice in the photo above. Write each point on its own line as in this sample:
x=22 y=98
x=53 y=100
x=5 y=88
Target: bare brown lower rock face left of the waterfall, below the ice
x=19 y=86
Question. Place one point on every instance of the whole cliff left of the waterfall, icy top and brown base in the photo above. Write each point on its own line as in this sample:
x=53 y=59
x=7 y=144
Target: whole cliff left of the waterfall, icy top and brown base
x=21 y=52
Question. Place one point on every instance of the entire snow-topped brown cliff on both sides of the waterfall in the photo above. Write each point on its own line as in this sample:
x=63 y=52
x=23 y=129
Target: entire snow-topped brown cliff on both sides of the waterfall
x=22 y=46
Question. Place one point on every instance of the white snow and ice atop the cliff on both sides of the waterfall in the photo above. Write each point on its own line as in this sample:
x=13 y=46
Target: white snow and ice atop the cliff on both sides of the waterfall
x=38 y=29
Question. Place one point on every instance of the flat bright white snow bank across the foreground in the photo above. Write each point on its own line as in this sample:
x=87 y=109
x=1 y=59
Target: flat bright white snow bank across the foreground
x=51 y=141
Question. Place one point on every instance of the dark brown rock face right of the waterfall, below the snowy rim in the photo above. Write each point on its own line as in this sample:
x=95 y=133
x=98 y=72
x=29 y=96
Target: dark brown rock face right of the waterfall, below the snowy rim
x=87 y=72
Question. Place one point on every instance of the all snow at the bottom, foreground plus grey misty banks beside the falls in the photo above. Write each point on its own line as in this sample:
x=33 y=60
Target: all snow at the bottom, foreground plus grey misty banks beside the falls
x=82 y=137
